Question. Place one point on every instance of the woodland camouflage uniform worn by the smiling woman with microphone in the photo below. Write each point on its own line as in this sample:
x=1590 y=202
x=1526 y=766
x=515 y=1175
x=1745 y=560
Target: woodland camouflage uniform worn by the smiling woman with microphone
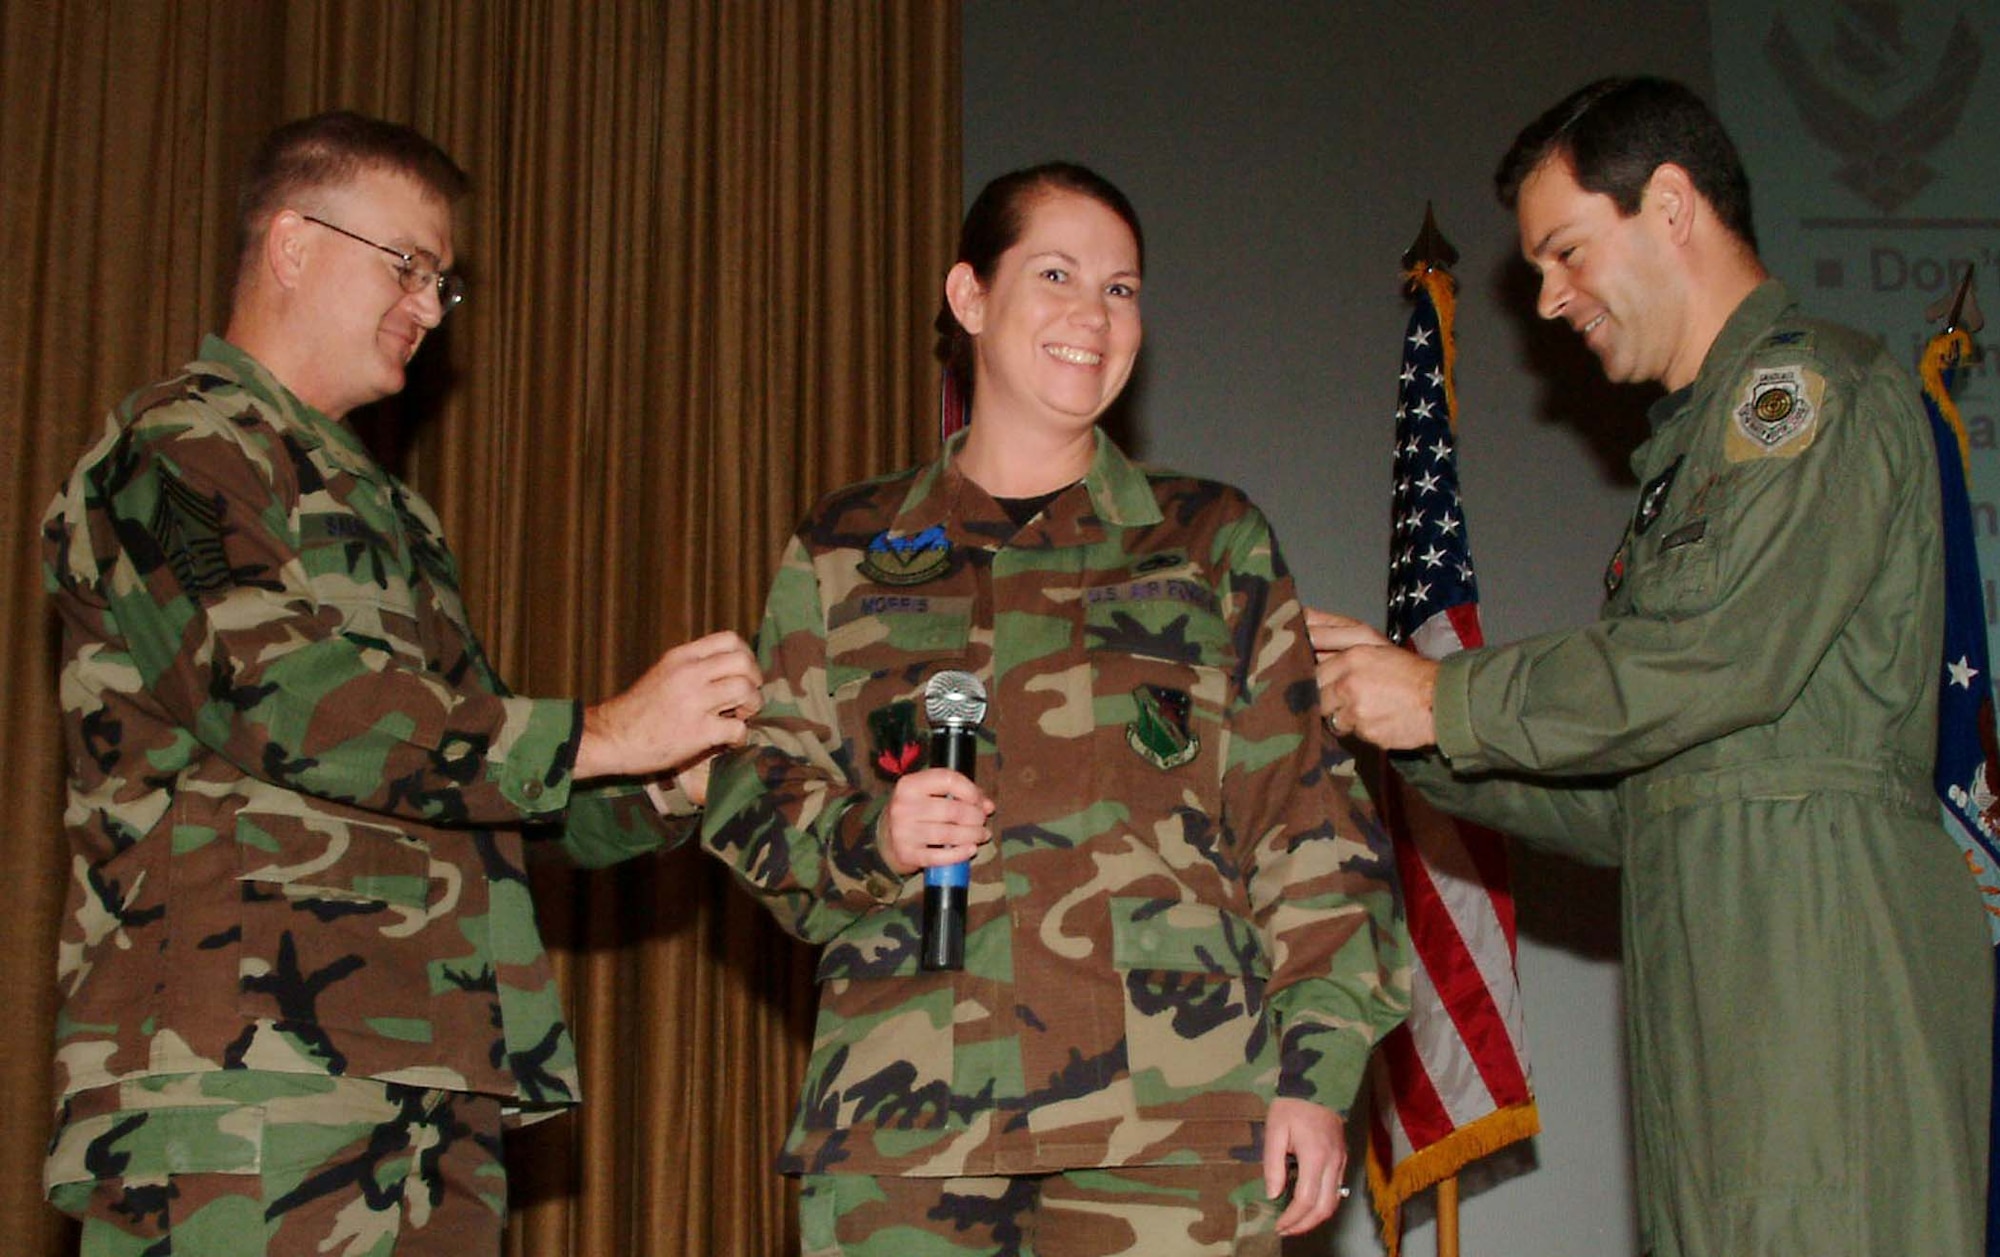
x=1187 y=910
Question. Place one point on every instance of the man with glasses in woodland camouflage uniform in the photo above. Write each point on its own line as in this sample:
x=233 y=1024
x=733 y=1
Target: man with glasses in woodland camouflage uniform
x=301 y=974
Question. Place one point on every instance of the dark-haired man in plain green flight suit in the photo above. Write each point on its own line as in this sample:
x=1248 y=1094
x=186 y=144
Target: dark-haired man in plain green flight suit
x=1747 y=732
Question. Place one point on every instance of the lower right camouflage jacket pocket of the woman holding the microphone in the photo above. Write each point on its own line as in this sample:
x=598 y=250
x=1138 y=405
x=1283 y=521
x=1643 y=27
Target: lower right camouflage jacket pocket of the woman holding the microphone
x=1197 y=1032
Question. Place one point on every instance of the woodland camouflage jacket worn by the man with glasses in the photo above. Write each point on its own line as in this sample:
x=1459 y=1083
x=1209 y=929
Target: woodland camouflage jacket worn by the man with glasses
x=299 y=796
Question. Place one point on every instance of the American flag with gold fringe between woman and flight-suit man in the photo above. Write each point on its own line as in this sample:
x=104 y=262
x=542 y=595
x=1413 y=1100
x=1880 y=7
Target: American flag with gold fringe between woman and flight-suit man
x=1451 y=1084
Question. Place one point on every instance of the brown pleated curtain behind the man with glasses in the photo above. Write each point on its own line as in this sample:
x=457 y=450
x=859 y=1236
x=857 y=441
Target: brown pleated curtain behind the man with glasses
x=705 y=253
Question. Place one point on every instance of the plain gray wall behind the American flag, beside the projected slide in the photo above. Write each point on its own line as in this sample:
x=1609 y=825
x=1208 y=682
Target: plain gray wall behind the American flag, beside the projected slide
x=1281 y=157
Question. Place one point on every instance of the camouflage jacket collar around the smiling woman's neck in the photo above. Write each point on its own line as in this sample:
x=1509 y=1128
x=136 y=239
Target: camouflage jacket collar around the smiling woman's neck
x=1115 y=493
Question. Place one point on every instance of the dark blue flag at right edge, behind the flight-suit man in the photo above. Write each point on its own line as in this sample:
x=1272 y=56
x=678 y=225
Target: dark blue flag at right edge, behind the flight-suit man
x=1969 y=774
